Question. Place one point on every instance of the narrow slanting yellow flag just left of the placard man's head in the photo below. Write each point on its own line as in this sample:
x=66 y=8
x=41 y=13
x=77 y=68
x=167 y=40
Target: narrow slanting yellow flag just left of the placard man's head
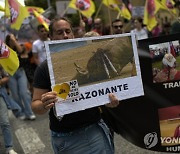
x=42 y=20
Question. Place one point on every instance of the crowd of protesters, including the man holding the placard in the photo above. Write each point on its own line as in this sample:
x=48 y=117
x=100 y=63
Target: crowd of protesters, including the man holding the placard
x=26 y=93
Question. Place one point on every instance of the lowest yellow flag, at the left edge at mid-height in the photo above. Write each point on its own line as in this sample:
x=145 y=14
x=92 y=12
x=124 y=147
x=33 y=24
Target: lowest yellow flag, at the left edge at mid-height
x=8 y=59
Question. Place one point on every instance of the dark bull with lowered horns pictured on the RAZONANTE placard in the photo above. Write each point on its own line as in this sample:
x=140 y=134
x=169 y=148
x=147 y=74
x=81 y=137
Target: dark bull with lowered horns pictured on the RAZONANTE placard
x=107 y=62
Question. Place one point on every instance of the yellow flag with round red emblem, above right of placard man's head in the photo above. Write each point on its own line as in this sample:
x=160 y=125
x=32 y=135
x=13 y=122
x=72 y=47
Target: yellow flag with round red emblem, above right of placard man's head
x=86 y=7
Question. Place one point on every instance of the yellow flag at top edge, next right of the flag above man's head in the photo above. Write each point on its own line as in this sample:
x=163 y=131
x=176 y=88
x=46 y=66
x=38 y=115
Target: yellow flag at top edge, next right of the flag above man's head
x=112 y=4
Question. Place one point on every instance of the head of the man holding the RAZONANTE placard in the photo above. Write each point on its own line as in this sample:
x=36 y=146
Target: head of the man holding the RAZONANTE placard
x=60 y=29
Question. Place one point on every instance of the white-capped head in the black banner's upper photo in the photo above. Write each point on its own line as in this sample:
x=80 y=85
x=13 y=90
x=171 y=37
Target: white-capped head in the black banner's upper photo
x=169 y=60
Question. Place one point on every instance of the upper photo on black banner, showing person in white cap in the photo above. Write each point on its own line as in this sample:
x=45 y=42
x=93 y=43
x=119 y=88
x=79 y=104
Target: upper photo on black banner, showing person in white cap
x=165 y=61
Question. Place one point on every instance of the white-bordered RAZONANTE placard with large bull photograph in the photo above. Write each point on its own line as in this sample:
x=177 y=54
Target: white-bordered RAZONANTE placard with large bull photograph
x=101 y=65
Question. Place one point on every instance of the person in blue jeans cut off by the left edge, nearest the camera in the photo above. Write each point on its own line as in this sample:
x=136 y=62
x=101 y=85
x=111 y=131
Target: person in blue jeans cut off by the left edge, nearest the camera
x=4 y=119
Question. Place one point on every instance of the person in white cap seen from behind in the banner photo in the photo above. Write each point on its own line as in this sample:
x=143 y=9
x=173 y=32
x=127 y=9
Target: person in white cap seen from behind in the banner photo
x=169 y=71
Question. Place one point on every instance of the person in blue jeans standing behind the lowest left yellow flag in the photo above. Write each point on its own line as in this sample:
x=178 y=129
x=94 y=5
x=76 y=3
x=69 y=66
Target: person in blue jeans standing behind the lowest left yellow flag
x=18 y=83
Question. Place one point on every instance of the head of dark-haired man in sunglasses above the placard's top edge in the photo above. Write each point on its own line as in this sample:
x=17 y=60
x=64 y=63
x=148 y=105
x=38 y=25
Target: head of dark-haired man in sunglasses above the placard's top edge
x=117 y=26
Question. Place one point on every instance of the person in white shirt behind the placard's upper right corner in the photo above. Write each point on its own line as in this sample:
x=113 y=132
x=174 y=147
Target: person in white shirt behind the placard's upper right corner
x=139 y=29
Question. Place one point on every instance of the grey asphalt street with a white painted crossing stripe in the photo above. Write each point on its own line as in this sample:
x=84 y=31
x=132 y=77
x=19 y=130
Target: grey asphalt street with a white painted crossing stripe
x=32 y=137
